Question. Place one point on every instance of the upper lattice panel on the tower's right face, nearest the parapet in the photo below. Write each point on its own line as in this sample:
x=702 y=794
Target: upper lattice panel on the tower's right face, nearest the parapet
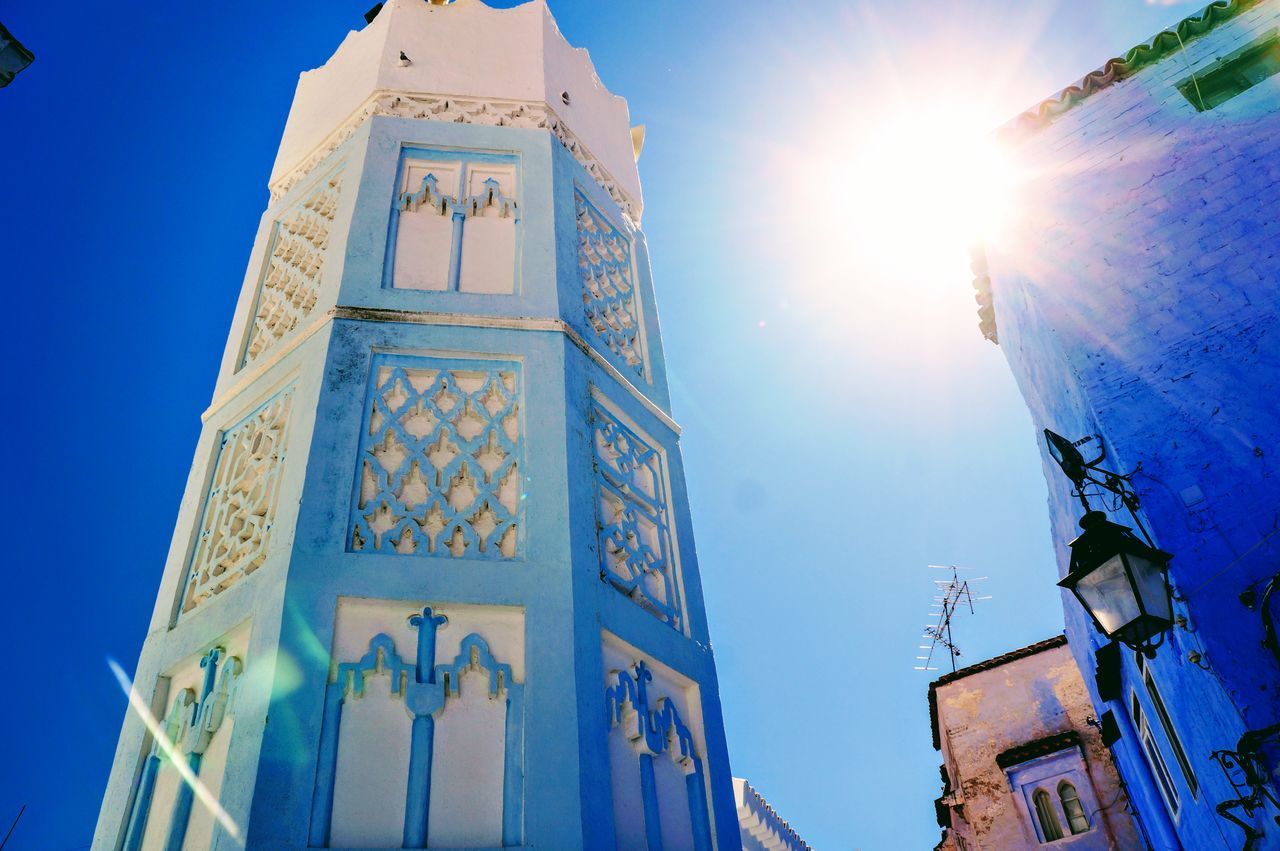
x=609 y=291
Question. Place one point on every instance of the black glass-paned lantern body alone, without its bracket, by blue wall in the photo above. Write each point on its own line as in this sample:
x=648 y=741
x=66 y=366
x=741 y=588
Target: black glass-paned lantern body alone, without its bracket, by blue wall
x=1121 y=582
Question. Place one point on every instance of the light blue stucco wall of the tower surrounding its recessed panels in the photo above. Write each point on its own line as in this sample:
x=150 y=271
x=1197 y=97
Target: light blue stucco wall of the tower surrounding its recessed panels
x=557 y=579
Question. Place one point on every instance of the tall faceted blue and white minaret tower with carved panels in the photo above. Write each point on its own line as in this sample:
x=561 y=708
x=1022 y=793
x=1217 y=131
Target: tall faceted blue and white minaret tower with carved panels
x=433 y=583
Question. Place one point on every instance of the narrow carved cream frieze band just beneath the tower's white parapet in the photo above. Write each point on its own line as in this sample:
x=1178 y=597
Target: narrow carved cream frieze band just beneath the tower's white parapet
x=463 y=111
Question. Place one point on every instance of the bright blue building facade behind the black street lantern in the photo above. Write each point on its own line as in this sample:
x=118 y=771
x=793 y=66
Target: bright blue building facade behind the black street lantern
x=1136 y=301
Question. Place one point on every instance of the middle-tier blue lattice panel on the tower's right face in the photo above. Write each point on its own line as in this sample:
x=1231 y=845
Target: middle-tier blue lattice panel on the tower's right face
x=637 y=552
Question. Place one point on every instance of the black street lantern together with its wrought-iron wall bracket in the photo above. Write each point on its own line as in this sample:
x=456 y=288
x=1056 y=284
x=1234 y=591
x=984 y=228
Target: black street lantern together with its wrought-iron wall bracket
x=1122 y=580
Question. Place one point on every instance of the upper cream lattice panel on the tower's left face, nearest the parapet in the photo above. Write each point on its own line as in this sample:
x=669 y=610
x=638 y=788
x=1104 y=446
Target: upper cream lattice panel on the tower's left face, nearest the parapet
x=291 y=282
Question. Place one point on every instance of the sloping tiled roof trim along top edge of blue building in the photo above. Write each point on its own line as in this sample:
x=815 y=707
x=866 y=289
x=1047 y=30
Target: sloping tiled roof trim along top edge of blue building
x=1124 y=67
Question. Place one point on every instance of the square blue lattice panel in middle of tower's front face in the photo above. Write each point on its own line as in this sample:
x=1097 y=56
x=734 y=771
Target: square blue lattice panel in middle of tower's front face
x=441 y=456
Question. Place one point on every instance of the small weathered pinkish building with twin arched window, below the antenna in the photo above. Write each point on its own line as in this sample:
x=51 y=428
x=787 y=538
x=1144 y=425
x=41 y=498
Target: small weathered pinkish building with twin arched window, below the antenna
x=1023 y=762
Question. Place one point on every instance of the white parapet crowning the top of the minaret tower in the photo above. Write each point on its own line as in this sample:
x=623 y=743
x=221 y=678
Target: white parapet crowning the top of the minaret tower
x=463 y=62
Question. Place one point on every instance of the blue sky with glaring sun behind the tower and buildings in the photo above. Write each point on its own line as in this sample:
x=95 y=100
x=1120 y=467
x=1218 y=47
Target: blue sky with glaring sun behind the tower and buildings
x=845 y=424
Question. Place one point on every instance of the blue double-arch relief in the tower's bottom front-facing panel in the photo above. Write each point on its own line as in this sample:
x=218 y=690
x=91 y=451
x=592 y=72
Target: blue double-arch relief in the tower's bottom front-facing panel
x=427 y=690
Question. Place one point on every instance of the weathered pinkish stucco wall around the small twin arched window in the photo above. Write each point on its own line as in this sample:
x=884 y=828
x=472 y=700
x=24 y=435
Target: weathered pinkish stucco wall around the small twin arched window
x=989 y=710
